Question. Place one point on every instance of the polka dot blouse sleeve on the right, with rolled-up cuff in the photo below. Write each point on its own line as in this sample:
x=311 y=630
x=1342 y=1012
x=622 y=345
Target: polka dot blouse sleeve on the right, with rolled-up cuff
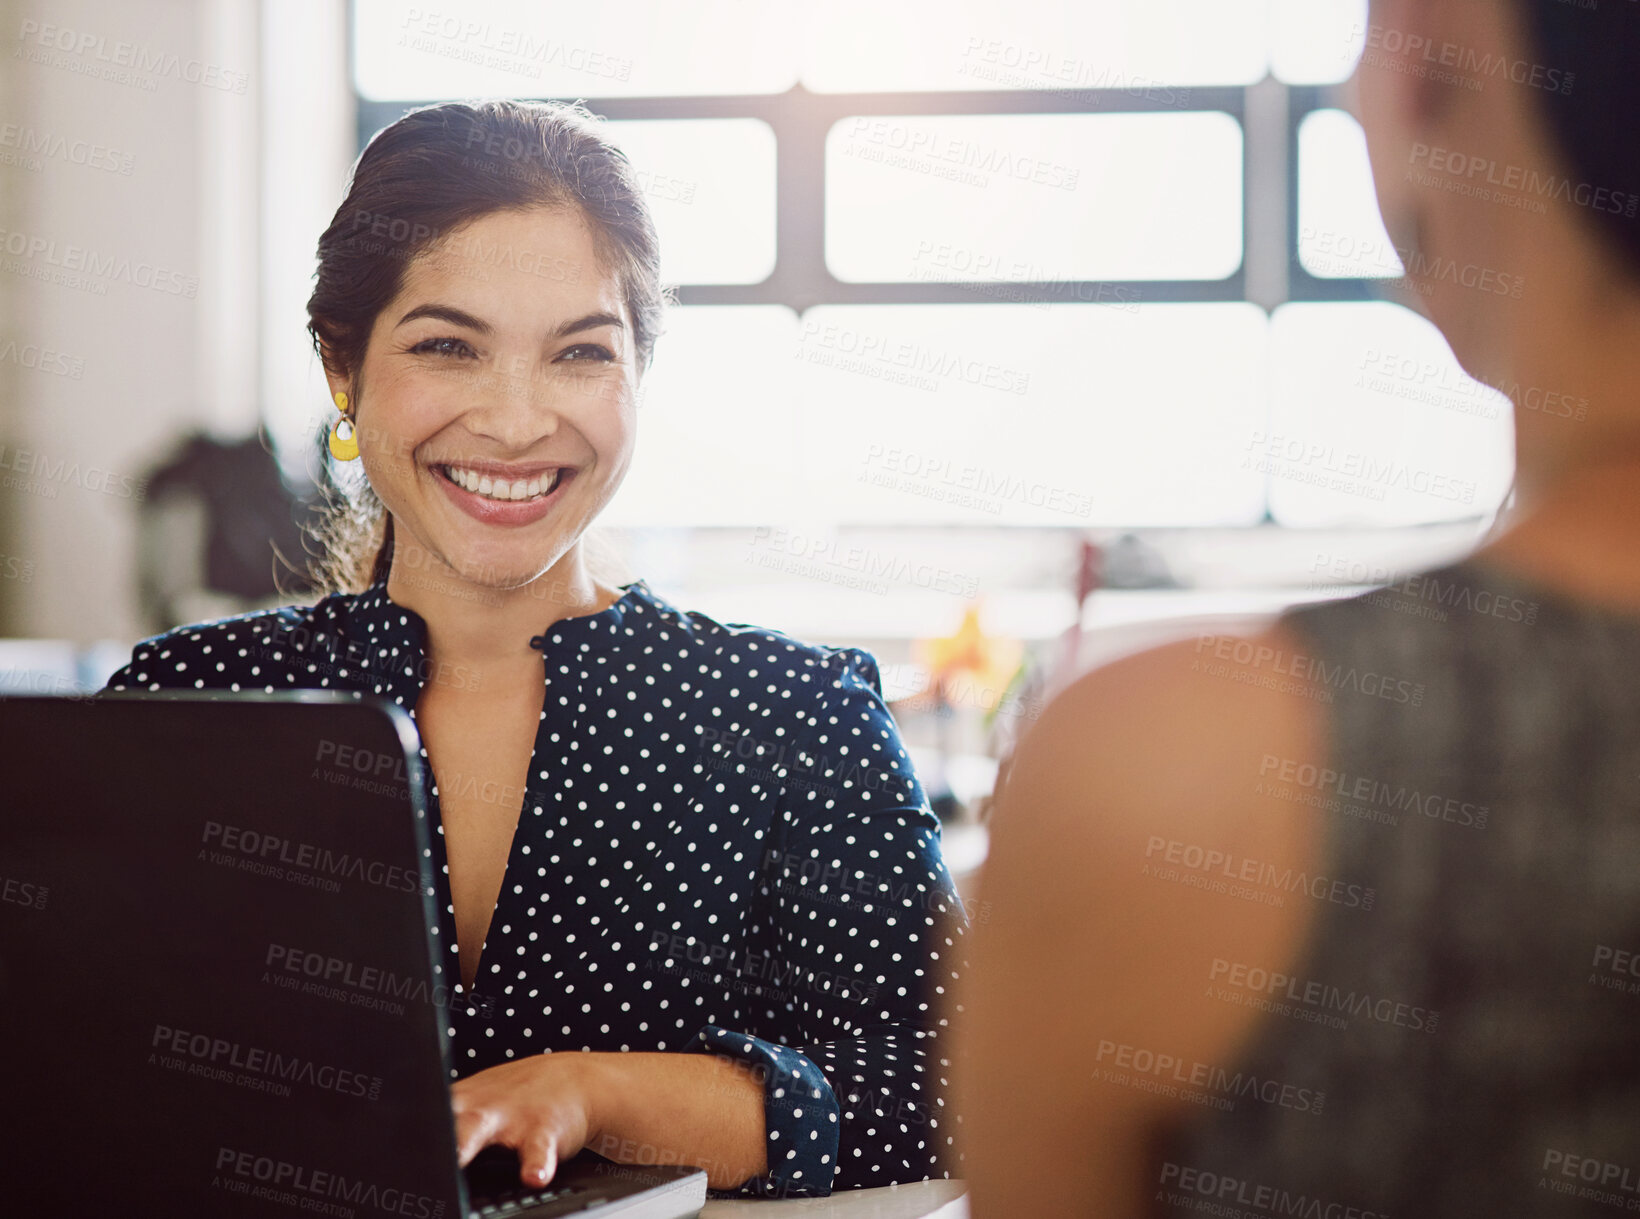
x=865 y=941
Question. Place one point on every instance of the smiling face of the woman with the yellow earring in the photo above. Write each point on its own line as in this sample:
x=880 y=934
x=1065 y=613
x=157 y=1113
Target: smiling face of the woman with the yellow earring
x=496 y=401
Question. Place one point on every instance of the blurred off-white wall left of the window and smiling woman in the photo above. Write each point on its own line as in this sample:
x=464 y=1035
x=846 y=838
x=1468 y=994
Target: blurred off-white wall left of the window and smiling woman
x=178 y=96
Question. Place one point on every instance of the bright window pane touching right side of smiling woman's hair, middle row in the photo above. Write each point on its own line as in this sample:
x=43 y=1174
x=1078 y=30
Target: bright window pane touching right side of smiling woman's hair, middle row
x=711 y=188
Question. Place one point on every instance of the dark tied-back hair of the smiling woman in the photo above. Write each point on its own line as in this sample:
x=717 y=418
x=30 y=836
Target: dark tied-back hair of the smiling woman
x=427 y=175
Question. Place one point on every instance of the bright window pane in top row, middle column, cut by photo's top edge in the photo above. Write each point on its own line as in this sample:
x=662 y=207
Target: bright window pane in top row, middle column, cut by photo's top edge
x=937 y=45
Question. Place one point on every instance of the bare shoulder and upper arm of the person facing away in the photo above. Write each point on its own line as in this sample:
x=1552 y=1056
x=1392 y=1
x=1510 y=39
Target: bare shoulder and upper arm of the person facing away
x=1136 y=844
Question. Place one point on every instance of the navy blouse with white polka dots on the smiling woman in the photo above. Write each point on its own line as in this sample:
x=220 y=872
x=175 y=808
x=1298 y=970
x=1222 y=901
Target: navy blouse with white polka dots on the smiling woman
x=722 y=849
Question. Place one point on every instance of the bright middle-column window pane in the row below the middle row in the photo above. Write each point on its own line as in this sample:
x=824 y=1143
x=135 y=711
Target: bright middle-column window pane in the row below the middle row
x=1018 y=416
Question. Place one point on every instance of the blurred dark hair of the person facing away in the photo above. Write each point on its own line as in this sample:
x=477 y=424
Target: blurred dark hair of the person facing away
x=1597 y=121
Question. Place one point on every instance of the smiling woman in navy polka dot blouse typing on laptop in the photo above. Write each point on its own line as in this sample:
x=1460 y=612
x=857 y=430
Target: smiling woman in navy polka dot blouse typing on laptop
x=693 y=854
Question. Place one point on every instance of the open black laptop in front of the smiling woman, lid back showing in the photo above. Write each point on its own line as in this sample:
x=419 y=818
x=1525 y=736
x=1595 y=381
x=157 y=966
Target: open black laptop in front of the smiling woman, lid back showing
x=217 y=987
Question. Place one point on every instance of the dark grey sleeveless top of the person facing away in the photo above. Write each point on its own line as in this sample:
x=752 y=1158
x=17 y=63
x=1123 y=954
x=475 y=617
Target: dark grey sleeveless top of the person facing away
x=1470 y=1044
